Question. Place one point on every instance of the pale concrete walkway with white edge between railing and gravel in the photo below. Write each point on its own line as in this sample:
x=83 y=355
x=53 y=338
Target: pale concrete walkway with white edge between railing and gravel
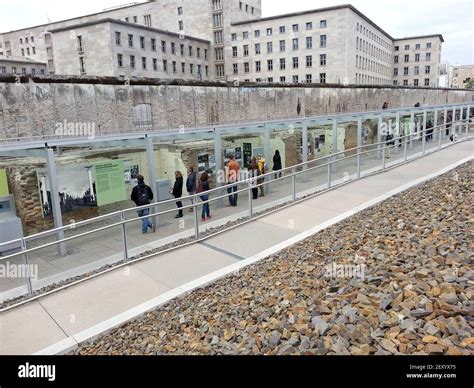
x=57 y=322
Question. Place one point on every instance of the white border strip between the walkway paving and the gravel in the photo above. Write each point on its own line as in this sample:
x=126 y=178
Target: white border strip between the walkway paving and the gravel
x=88 y=335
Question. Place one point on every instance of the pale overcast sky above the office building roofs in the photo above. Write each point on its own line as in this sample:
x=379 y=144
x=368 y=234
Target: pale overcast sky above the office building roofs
x=452 y=18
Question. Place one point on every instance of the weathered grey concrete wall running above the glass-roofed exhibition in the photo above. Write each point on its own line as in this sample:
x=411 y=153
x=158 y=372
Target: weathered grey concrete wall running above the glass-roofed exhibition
x=28 y=109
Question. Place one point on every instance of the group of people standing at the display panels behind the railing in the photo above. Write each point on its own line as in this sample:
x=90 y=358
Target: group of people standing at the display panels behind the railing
x=142 y=194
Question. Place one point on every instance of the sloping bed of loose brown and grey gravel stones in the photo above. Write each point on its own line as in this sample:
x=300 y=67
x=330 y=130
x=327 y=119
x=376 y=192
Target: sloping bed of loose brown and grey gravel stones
x=397 y=278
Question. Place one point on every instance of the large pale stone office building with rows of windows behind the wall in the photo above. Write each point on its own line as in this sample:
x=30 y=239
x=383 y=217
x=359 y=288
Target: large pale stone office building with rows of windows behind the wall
x=229 y=40
